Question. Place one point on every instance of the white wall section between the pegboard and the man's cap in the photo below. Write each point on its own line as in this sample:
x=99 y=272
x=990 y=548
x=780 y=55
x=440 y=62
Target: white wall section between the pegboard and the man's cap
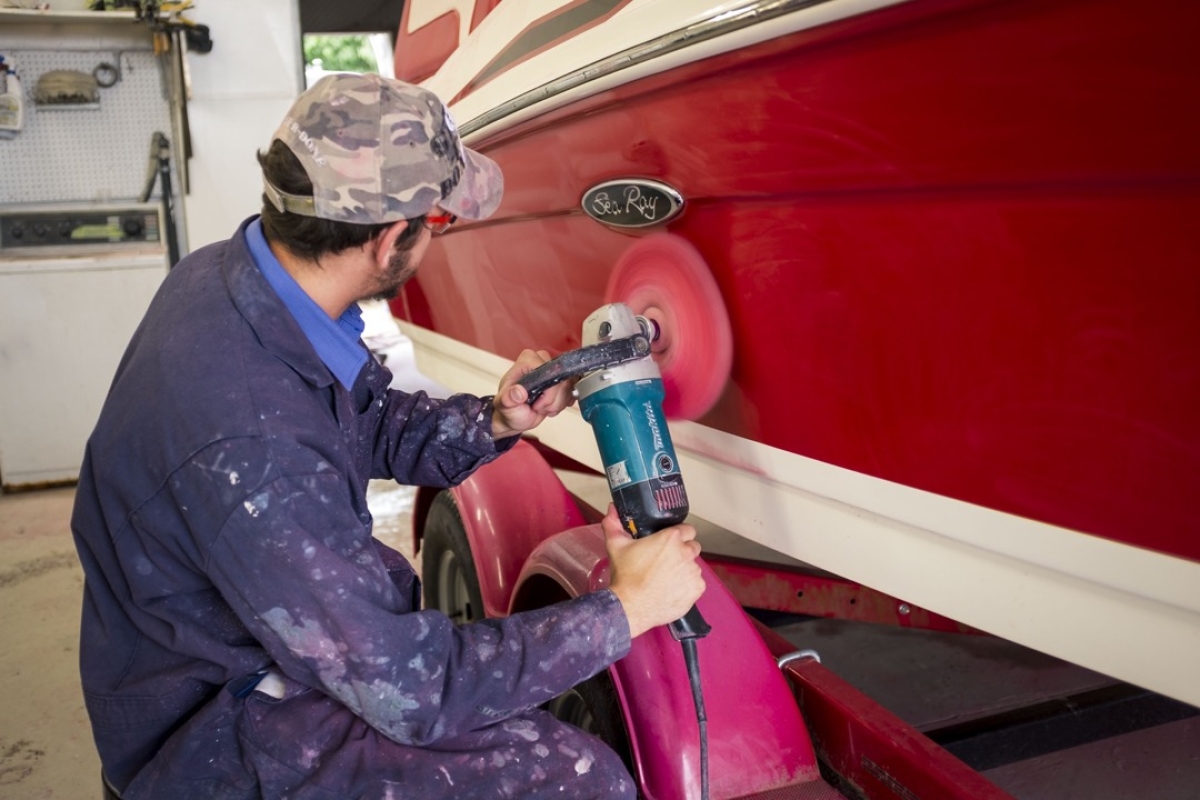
x=241 y=92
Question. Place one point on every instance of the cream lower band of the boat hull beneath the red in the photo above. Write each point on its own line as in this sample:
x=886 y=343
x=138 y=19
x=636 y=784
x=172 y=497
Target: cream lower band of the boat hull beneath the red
x=1126 y=612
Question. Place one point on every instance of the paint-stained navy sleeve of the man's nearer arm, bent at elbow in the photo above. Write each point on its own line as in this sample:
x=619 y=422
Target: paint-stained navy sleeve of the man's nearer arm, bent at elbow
x=301 y=572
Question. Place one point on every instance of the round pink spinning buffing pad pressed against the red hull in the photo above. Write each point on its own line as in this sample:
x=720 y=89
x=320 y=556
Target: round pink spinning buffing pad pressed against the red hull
x=665 y=280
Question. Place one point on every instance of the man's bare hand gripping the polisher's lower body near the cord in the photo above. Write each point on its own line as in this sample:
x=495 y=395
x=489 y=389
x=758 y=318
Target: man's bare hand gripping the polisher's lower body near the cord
x=656 y=578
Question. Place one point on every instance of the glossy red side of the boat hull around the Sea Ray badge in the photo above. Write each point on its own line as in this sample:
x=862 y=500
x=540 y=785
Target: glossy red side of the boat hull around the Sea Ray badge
x=958 y=243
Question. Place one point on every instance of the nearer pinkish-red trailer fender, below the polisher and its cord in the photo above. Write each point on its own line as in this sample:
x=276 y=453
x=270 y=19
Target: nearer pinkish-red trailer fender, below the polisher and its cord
x=758 y=739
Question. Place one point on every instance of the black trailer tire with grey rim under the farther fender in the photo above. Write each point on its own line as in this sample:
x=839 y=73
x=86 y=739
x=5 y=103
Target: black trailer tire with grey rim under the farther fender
x=448 y=568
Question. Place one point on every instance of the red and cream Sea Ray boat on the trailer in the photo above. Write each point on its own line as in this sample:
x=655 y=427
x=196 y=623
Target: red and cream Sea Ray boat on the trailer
x=958 y=246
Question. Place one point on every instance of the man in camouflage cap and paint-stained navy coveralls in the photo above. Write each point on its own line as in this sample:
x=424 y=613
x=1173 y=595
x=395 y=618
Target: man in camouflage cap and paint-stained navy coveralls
x=244 y=636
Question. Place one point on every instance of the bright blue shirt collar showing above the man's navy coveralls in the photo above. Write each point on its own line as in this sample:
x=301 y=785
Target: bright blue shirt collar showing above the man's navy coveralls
x=338 y=342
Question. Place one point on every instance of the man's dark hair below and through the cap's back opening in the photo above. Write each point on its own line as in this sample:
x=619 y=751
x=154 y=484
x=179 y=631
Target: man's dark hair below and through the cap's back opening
x=310 y=238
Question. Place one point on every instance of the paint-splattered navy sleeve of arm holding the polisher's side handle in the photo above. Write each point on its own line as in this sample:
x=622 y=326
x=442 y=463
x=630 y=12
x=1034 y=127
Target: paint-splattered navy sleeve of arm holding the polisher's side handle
x=419 y=441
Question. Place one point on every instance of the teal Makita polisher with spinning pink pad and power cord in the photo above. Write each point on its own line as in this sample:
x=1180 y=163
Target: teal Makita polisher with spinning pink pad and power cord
x=662 y=347
